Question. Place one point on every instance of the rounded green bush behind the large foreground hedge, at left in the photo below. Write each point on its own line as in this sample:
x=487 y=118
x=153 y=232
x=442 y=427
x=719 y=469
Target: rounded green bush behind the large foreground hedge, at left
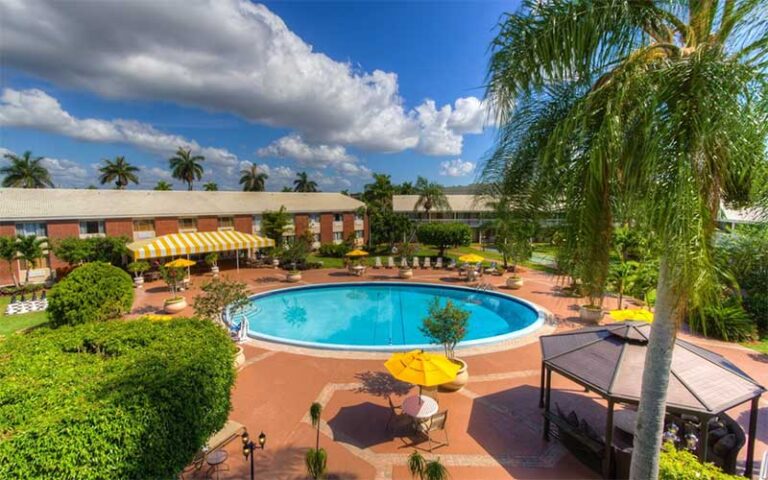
x=90 y=293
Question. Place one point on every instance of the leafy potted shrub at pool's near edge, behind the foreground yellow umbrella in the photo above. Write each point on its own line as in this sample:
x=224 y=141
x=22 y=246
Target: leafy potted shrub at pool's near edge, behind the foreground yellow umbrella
x=447 y=325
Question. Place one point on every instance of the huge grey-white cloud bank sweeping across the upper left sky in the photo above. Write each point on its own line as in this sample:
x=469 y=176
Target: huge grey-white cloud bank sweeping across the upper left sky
x=240 y=57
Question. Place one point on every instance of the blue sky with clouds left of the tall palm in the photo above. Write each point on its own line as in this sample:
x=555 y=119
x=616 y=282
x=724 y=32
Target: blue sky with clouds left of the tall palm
x=337 y=89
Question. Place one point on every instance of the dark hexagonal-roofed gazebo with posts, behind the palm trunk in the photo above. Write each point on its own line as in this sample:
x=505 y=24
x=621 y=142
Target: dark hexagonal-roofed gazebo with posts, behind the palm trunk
x=609 y=360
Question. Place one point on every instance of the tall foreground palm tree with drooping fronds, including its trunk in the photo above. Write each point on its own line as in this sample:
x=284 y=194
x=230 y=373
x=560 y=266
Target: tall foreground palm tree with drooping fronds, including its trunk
x=652 y=108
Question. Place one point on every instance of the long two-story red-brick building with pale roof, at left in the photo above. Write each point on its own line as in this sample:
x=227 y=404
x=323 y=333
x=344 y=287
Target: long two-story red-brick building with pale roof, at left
x=140 y=215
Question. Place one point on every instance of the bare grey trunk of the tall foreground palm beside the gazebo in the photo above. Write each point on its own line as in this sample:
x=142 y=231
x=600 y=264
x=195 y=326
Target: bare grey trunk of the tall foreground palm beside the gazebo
x=653 y=394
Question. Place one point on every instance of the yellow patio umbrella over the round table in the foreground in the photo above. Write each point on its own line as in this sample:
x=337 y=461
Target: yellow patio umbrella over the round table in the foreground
x=422 y=368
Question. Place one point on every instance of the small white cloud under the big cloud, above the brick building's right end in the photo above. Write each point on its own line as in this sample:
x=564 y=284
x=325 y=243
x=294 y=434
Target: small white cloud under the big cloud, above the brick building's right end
x=319 y=156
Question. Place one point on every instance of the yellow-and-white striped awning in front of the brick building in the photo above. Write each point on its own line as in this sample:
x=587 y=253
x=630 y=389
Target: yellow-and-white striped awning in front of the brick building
x=197 y=242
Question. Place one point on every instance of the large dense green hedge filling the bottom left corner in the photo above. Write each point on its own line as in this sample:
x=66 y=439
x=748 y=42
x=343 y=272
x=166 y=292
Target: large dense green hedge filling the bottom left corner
x=128 y=399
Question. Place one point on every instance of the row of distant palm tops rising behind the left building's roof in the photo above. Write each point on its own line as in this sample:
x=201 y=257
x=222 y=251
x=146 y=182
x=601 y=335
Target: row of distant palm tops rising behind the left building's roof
x=28 y=171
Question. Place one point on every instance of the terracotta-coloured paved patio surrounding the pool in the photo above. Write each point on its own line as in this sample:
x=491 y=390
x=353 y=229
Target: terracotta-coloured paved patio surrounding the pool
x=494 y=427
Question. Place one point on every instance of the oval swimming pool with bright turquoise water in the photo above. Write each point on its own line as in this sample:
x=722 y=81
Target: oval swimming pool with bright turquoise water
x=380 y=316
